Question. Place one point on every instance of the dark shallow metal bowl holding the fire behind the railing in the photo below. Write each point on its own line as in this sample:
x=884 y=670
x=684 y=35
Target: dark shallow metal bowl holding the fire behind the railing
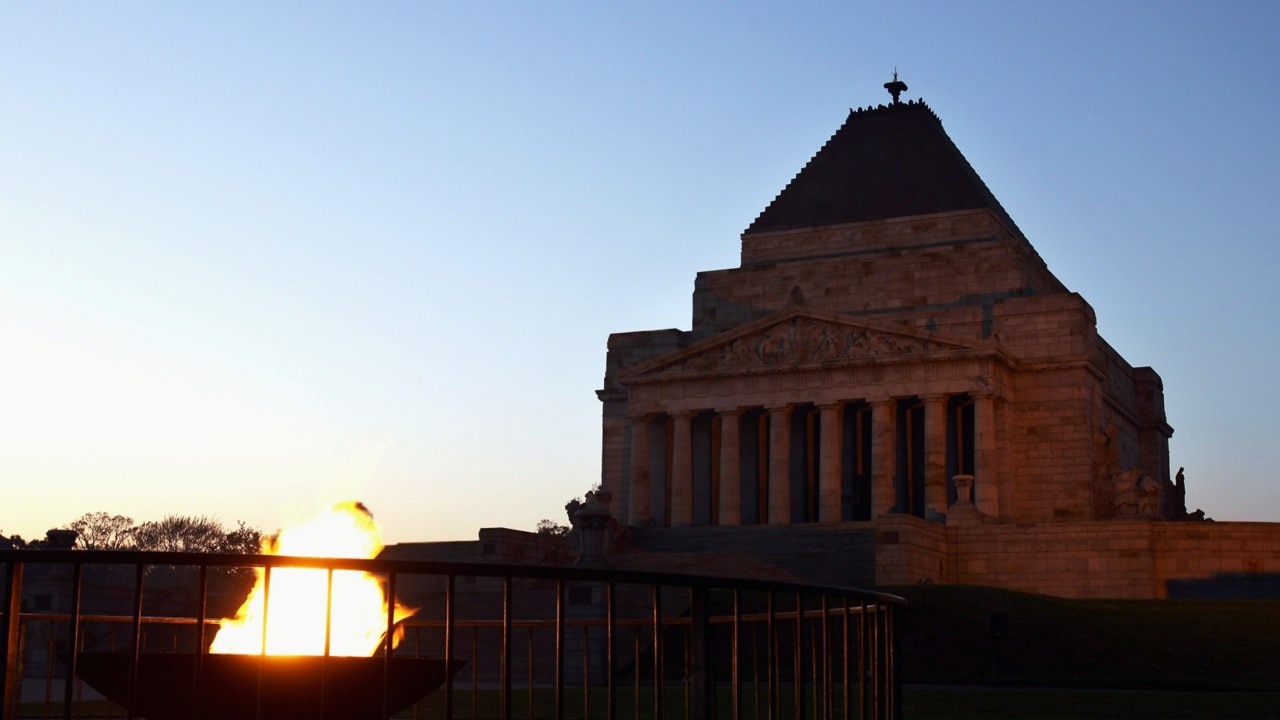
x=248 y=687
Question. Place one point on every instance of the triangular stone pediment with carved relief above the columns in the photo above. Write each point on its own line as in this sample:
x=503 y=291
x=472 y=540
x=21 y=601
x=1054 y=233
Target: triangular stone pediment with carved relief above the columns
x=796 y=339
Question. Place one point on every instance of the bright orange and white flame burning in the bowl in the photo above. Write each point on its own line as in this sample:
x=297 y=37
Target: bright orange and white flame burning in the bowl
x=296 y=614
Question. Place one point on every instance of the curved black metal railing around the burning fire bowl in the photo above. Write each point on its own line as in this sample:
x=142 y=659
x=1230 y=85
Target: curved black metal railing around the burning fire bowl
x=126 y=635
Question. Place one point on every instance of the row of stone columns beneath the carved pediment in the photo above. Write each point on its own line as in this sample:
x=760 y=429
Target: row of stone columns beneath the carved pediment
x=811 y=463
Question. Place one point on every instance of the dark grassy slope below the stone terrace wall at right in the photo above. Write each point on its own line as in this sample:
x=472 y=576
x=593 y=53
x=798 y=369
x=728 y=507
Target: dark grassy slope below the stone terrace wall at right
x=1185 y=645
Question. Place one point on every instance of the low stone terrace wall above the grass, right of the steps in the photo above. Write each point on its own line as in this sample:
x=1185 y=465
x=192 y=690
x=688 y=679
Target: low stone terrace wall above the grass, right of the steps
x=1110 y=559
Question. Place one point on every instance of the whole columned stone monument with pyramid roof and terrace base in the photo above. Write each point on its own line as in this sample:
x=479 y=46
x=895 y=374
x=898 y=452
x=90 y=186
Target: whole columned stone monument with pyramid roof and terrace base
x=894 y=361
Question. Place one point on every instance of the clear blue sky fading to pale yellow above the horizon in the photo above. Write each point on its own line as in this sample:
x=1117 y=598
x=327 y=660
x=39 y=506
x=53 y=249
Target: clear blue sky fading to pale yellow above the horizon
x=257 y=256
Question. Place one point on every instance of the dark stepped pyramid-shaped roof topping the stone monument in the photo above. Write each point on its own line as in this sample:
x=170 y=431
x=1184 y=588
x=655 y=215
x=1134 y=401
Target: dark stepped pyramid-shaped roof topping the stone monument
x=888 y=162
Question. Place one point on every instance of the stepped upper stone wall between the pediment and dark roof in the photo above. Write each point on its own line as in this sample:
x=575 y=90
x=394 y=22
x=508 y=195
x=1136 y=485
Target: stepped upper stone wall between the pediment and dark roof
x=924 y=266
